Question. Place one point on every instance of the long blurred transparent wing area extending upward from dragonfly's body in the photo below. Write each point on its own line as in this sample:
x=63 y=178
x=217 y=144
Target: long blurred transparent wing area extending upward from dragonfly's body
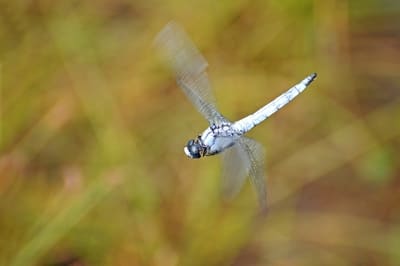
x=189 y=67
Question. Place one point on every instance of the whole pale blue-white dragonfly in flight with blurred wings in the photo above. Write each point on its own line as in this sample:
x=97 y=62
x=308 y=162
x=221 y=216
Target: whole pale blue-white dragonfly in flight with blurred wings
x=242 y=156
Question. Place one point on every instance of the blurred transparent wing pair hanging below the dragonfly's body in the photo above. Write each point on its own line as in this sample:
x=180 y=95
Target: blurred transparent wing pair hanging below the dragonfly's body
x=245 y=158
